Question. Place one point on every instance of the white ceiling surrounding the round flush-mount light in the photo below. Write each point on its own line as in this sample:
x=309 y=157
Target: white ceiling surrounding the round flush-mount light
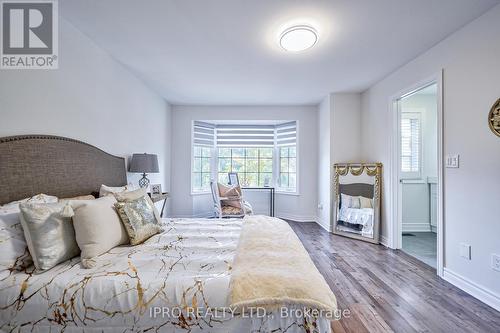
x=225 y=52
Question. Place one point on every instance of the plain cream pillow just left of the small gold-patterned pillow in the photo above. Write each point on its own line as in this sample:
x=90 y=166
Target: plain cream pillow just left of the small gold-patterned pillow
x=98 y=228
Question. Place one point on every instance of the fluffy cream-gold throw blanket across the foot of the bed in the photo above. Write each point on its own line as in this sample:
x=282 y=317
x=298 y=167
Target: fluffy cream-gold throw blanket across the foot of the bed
x=273 y=269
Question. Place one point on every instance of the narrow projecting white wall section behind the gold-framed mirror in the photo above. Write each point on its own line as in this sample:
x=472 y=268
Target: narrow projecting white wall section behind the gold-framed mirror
x=339 y=141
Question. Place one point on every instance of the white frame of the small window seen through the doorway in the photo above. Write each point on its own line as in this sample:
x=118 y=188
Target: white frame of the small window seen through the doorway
x=412 y=175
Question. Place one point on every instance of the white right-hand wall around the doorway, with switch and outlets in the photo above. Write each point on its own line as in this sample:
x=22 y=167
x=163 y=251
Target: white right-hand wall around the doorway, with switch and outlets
x=470 y=59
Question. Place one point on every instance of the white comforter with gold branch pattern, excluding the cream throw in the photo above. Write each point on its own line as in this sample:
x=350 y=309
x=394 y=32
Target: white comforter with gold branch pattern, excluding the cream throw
x=155 y=286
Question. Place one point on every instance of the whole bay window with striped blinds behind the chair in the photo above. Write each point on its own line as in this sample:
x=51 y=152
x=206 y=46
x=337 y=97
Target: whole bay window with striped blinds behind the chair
x=261 y=154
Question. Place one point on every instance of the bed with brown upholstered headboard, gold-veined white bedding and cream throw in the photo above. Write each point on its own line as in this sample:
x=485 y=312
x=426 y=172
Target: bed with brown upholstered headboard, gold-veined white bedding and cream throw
x=198 y=275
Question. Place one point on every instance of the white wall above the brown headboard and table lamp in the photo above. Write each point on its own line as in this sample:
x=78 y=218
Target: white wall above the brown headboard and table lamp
x=91 y=98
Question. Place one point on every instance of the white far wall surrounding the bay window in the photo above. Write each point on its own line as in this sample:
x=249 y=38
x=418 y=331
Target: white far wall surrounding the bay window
x=295 y=207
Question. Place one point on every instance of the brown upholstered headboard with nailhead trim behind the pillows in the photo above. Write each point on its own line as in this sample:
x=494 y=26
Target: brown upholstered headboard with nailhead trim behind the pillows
x=33 y=164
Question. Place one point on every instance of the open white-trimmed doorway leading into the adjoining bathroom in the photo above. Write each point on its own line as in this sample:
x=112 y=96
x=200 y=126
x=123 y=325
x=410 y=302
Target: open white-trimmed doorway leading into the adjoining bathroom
x=417 y=175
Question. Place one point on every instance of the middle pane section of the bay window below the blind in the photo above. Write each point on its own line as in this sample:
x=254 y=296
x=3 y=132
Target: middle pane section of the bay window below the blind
x=253 y=165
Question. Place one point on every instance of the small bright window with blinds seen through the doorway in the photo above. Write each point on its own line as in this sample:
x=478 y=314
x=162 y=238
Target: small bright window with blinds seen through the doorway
x=411 y=145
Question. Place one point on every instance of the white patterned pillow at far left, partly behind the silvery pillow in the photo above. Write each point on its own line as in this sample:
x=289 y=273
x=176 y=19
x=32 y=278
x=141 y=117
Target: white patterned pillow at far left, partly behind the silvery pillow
x=14 y=253
